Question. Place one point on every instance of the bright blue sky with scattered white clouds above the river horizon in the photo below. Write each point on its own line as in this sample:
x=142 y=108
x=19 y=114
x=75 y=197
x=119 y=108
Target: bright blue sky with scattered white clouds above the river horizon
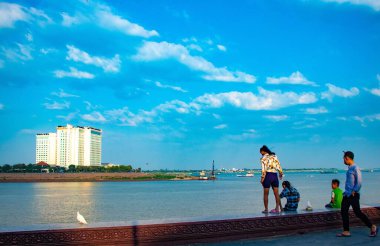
x=176 y=84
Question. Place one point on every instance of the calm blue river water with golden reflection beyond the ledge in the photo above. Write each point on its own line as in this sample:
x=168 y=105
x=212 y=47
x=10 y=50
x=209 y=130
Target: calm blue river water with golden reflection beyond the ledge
x=35 y=204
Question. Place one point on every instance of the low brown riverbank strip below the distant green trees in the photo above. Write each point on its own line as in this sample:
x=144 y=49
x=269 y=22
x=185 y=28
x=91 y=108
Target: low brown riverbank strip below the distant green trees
x=89 y=177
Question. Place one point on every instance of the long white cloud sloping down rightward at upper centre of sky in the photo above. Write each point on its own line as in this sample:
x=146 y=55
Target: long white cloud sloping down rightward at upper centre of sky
x=151 y=51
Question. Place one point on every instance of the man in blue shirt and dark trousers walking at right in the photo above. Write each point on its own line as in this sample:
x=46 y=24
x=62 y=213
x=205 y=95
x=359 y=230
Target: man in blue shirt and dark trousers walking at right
x=351 y=197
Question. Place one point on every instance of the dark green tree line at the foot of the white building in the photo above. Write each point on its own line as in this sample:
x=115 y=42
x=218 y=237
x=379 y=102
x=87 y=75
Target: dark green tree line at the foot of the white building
x=35 y=168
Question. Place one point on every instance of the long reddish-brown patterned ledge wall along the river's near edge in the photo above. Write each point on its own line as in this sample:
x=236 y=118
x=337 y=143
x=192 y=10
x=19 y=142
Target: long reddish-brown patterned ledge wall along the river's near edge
x=187 y=232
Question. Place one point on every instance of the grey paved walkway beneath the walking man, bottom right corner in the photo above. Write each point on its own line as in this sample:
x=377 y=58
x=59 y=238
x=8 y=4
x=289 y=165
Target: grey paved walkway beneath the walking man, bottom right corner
x=359 y=236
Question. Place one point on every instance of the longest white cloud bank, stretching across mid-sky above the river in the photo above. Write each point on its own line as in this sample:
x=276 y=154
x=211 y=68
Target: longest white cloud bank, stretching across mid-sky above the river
x=265 y=100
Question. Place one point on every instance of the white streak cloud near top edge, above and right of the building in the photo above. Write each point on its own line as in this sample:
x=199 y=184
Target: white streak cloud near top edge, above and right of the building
x=107 y=19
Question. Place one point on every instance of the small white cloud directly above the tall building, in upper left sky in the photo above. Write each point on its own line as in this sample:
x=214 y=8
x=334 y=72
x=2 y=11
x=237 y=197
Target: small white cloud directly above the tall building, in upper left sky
x=108 y=65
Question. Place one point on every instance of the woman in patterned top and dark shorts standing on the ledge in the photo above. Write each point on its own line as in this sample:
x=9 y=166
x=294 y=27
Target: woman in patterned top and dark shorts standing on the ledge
x=270 y=165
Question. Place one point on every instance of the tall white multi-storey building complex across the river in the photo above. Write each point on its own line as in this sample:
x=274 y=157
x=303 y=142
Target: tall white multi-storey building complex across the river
x=72 y=146
